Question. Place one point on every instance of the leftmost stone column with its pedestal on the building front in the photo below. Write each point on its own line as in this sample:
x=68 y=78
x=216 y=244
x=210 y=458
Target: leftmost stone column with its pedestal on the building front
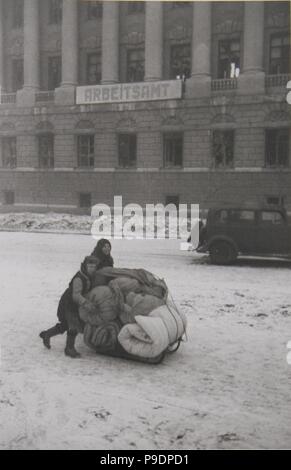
x=26 y=96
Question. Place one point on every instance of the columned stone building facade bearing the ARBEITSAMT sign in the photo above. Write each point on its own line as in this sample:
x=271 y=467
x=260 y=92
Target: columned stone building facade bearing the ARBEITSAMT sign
x=223 y=137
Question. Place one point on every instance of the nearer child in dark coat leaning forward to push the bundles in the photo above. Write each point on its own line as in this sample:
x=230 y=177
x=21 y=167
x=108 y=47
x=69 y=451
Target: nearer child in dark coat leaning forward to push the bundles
x=68 y=308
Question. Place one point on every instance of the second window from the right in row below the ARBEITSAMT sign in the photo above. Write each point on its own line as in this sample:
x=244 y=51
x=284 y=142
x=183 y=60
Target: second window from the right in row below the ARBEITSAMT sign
x=223 y=148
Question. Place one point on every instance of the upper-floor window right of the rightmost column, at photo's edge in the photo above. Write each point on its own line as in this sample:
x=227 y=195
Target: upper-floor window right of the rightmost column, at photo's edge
x=279 y=54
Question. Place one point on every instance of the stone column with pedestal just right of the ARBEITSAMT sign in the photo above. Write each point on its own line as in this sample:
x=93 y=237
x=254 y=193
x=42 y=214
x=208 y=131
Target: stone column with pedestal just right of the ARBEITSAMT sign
x=199 y=84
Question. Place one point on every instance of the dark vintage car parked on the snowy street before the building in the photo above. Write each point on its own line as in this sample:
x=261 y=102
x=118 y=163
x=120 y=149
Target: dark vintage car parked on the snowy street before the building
x=229 y=232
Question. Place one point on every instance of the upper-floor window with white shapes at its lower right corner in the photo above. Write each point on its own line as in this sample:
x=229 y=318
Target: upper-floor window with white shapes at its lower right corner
x=229 y=58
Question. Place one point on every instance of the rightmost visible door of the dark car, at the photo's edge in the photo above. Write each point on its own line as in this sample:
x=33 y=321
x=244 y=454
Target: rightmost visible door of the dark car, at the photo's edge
x=273 y=235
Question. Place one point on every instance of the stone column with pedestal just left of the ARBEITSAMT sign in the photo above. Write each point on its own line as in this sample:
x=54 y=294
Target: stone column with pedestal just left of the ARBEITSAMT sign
x=70 y=53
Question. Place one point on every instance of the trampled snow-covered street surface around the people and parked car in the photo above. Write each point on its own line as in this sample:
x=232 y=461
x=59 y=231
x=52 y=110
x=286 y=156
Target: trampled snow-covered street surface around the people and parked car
x=228 y=386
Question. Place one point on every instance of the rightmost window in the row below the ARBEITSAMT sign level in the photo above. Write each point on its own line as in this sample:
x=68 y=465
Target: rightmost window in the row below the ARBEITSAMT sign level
x=277 y=147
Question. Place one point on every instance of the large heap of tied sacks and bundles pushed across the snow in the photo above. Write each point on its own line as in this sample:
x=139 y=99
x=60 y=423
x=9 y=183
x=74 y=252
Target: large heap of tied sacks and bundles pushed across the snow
x=135 y=316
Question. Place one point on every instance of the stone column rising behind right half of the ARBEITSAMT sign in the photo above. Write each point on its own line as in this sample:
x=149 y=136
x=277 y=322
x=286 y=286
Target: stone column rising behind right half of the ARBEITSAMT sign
x=154 y=41
